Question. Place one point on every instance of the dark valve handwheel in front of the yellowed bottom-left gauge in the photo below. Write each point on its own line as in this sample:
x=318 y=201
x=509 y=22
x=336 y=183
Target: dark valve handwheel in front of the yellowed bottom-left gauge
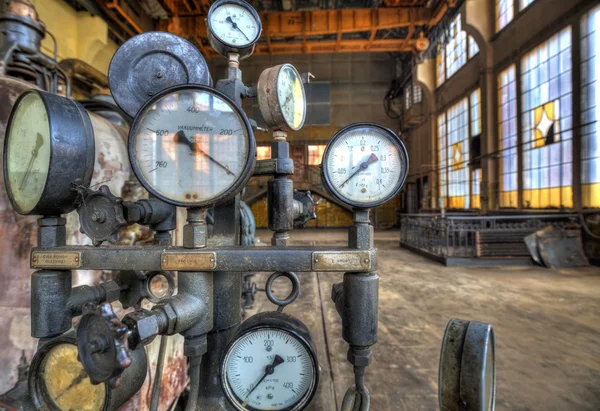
x=102 y=344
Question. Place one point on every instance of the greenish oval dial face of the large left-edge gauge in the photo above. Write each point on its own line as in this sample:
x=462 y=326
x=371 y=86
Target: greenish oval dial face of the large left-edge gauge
x=28 y=153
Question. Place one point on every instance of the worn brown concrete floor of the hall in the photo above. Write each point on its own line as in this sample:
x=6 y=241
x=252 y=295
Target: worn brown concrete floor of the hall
x=547 y=325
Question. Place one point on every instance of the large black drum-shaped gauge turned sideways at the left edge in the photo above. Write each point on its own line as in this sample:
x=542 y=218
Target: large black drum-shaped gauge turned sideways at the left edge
x=49 y=147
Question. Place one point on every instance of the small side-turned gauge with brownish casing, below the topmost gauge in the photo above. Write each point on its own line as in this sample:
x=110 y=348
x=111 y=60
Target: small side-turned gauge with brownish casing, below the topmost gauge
x=281 y=97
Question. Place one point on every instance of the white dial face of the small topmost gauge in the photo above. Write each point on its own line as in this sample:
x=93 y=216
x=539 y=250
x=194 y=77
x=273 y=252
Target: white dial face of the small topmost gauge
x=234 y=24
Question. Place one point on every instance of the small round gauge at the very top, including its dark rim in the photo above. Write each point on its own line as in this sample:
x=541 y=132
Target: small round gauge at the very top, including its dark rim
x=233 y=27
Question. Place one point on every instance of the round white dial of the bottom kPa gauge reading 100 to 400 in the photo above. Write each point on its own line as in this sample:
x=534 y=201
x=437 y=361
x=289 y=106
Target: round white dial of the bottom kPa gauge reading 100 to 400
x=290 y=384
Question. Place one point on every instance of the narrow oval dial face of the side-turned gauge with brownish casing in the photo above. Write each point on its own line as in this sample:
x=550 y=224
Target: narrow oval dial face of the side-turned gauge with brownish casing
x=290 y=93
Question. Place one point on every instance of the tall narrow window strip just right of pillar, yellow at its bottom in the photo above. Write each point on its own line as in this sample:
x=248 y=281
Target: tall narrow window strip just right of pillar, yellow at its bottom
x=507 y=116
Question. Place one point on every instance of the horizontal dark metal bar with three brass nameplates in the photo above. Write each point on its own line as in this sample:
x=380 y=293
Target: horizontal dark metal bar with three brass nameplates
x=216 y=259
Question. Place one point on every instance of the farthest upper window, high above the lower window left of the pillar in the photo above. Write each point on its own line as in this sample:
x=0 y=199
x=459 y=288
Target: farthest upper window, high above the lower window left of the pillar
x=455 y=49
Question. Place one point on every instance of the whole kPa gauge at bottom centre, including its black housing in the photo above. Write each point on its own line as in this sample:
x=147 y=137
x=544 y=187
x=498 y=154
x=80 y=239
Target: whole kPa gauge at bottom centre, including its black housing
x=270 y=364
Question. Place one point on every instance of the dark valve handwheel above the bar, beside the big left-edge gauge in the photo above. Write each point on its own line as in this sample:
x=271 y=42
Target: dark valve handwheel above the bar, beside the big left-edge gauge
x=101 y=215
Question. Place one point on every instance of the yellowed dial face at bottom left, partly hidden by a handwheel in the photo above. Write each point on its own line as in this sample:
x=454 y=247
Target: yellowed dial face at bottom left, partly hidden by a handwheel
x=65 y=384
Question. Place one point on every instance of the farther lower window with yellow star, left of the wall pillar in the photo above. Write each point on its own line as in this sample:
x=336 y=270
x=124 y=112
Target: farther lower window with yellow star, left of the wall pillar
x=455 y=130
